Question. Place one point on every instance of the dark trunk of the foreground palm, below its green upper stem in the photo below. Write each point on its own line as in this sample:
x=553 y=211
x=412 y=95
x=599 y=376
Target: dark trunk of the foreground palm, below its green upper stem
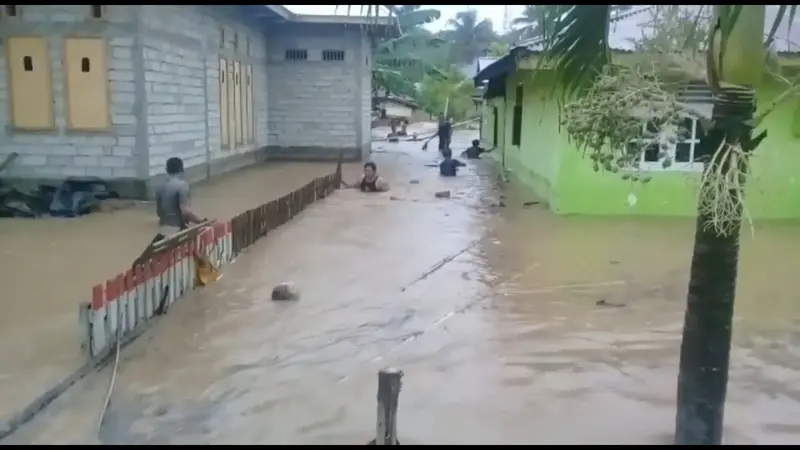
x=706 y=345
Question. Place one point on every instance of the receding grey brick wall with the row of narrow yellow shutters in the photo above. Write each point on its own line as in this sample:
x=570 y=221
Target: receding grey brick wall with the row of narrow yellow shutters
x=182 y=48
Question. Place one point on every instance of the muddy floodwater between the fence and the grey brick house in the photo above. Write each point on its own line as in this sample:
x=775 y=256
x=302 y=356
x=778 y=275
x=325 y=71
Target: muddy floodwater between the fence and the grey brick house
x=48 y=266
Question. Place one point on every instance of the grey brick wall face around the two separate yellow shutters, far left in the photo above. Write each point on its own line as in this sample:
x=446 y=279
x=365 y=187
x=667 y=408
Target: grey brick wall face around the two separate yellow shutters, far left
x=53 y=155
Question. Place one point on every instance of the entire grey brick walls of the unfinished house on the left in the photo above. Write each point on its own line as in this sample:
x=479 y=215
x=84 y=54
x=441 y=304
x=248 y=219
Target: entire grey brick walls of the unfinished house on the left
x=164 y=69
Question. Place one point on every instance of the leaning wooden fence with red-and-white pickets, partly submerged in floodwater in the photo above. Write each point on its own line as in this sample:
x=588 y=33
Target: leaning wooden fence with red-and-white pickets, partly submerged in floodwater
x=123 y=305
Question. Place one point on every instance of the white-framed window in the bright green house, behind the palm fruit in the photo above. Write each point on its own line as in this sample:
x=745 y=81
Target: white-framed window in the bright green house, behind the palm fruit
x=670 y=150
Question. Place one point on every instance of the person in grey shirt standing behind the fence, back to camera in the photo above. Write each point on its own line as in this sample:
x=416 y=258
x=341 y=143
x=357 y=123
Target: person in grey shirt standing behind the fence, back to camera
x=172 y=202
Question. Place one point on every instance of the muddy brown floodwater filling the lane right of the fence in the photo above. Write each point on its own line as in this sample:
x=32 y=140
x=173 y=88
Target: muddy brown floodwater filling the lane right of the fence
x=538 y=329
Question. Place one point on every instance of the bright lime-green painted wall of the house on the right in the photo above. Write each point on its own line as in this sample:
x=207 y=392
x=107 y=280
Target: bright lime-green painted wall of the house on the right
x=547 y=162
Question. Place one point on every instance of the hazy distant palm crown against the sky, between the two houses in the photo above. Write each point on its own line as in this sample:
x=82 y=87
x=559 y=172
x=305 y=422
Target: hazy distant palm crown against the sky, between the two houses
x=469 y=36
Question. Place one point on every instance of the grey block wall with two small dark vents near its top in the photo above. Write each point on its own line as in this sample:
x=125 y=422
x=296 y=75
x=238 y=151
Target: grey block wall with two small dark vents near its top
x=318 y=108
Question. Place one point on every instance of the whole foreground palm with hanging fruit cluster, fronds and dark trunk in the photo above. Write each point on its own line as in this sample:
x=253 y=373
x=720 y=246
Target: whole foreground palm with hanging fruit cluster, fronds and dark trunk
x=592 y=87
